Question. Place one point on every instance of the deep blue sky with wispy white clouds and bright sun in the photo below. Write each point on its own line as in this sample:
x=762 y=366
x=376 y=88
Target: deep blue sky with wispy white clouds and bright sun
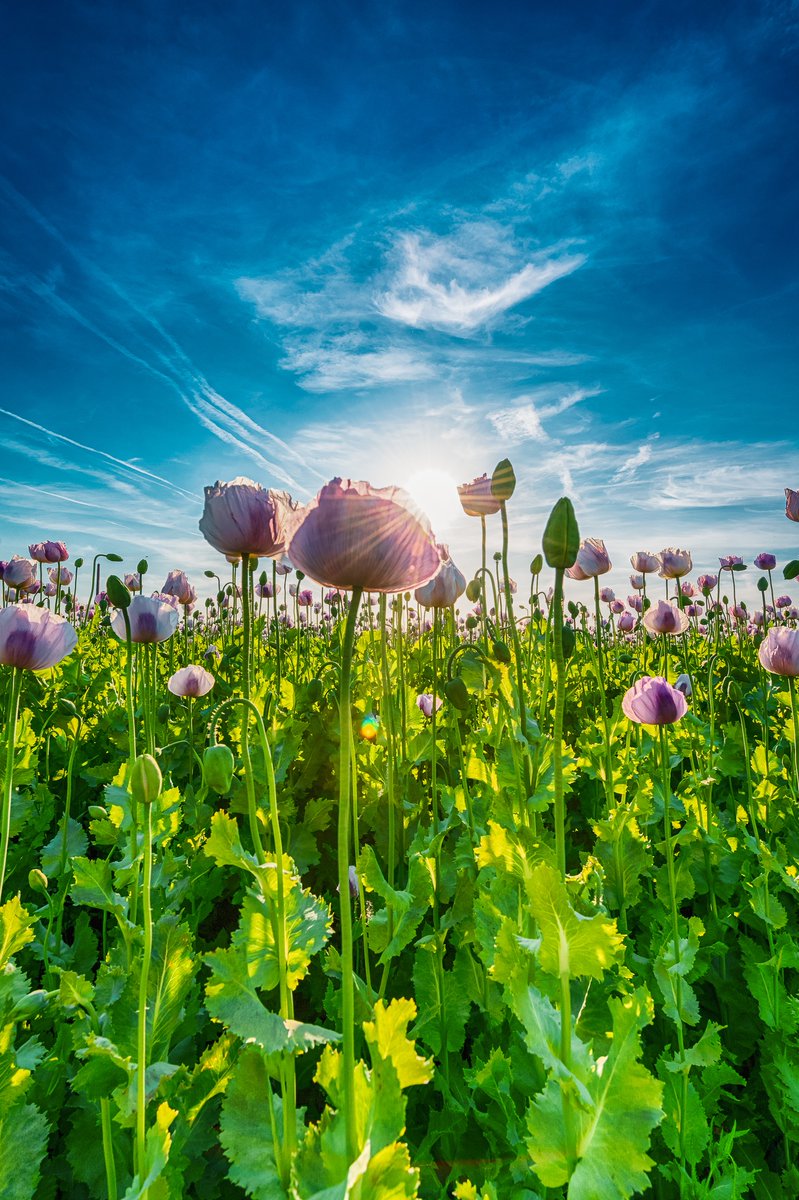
x=293 y=242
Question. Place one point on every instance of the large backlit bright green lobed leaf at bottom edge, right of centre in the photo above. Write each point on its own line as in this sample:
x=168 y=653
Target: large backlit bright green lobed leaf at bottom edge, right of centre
x=611 y=1135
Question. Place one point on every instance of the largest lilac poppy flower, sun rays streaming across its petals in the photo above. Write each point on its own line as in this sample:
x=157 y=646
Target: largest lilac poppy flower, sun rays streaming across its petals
x=355 y=536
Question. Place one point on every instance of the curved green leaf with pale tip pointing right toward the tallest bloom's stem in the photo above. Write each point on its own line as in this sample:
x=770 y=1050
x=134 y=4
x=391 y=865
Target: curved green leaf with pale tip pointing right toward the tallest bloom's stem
x=232 y=999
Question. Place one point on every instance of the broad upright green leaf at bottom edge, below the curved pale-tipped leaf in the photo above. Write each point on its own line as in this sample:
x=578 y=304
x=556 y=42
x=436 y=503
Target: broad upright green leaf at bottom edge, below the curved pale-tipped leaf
x=247 y=1130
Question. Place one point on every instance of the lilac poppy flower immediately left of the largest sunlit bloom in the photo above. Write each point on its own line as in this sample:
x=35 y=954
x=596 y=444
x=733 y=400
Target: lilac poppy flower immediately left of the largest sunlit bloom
x=242 y=518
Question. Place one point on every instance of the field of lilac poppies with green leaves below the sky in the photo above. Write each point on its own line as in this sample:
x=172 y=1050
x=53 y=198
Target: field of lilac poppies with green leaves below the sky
x=363 y=880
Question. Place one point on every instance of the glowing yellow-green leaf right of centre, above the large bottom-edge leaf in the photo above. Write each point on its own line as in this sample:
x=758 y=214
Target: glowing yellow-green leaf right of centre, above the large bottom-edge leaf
x=572 y=945
